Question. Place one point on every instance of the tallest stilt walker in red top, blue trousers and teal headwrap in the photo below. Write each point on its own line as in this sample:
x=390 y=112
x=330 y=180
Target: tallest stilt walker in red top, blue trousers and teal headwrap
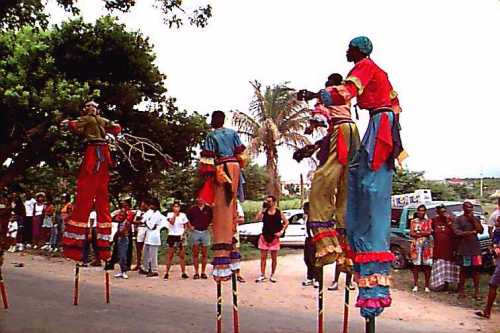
x=370 y=175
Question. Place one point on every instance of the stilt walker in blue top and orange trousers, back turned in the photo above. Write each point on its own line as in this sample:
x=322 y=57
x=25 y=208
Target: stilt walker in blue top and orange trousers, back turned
x=221 y=161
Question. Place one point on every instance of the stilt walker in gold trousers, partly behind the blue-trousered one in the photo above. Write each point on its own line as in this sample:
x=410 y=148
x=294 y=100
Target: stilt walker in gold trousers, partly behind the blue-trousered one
x=328 y=197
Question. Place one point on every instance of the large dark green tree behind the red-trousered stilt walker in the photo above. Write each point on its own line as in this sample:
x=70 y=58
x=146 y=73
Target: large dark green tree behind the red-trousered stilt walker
x=46 y=75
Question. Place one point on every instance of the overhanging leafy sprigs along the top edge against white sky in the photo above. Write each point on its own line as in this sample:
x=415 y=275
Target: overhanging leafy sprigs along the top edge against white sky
x=16 y=13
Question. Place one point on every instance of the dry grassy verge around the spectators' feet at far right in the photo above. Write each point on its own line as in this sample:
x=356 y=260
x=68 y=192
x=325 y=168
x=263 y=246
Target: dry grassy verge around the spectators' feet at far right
x=403 y=280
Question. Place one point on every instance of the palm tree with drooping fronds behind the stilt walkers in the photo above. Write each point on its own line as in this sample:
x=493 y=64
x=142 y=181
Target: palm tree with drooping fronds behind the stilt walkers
x=275 y=118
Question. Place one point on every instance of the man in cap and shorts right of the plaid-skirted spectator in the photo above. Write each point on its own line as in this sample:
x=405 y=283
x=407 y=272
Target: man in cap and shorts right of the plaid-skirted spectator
x=466 y=227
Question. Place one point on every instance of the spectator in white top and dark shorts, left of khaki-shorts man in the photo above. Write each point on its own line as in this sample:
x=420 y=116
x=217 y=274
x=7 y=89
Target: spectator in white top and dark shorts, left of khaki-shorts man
x=176 y=222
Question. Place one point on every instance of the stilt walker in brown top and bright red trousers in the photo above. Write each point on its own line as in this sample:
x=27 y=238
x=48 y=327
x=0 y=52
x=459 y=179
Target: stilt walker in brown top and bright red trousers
x=91 y=186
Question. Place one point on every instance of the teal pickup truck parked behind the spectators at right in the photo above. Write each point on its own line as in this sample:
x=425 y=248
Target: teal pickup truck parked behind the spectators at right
x=400 y=229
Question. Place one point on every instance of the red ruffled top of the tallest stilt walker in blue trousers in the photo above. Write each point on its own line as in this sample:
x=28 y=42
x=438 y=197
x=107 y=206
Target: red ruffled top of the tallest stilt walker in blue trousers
x=370 y=84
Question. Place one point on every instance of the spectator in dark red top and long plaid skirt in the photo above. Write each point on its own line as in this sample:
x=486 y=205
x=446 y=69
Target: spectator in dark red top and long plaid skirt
x=444 y=268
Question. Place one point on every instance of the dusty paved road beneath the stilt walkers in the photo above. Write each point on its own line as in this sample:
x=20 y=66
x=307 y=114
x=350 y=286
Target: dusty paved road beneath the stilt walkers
x=40 y=298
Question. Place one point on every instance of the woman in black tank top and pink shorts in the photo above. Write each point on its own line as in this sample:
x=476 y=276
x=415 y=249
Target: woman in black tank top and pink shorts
x=274 y=224
